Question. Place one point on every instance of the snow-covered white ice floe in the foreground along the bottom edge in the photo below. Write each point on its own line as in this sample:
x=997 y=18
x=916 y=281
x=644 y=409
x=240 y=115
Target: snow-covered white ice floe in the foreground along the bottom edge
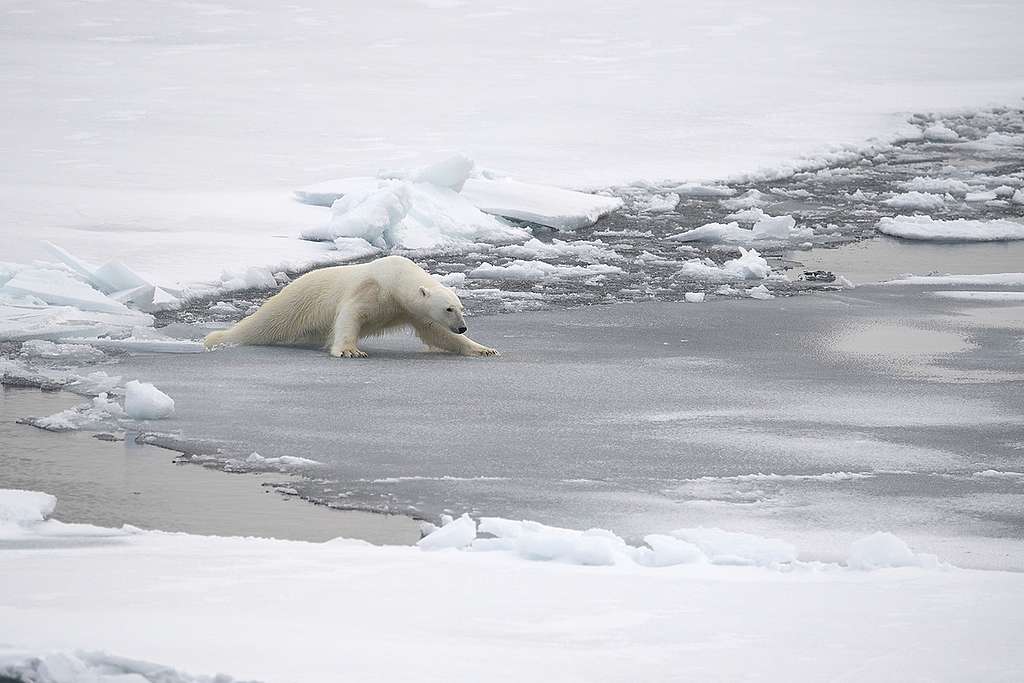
x=348 y=611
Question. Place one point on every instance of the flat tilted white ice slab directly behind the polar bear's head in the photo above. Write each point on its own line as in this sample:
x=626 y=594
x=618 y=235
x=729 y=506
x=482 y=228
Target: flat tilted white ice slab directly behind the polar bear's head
x=554 y=207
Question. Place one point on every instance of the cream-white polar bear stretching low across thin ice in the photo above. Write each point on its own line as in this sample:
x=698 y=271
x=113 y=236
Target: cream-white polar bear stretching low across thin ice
x=333 y=309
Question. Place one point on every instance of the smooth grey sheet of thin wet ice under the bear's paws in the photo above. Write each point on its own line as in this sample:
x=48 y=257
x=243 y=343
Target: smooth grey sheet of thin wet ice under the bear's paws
x=813 y=418
